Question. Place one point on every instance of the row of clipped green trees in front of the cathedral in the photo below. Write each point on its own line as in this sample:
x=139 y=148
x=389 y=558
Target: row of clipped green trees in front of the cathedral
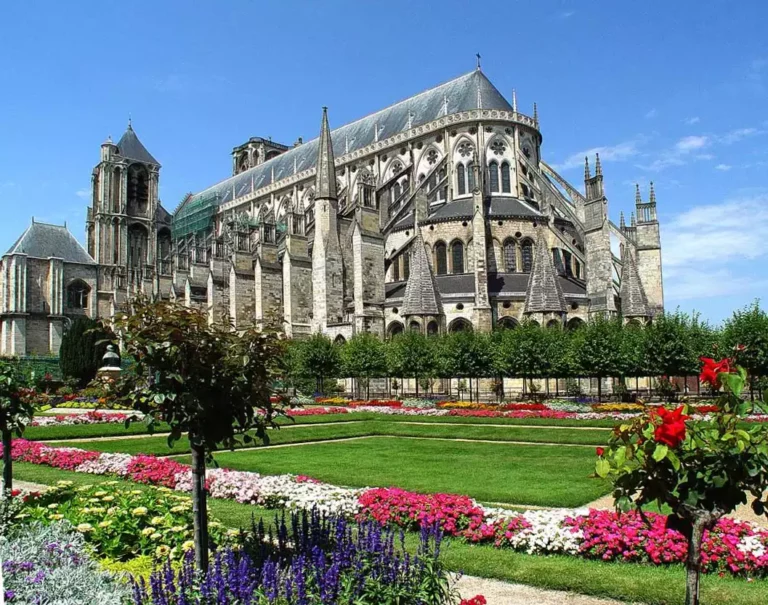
x=670 y=346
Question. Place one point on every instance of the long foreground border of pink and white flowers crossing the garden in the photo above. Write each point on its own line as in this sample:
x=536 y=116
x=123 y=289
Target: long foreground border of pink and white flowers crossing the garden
x=734 y=547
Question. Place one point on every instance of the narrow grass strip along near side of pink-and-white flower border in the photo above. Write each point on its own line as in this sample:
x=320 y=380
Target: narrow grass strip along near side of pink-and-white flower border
x=628 y=582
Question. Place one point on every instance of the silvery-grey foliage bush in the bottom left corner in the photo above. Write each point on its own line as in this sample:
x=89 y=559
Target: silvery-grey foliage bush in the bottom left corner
x=49 y=564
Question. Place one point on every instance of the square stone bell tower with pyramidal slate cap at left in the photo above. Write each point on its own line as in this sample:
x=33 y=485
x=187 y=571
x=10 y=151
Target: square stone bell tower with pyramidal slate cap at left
x=122 y=221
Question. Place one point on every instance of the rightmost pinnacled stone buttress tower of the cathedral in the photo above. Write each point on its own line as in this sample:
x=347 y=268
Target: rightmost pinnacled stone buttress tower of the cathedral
x=649 y=251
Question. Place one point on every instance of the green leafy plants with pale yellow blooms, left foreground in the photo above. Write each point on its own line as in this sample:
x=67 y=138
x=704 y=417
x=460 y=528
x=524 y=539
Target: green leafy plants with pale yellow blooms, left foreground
x=122 y=524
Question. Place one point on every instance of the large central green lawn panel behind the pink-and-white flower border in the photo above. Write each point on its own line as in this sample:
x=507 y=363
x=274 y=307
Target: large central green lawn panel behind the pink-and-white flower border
x=517 y=474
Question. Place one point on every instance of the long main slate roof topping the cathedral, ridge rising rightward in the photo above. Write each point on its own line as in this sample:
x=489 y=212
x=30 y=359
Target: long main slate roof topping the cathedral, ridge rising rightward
x=465 y=93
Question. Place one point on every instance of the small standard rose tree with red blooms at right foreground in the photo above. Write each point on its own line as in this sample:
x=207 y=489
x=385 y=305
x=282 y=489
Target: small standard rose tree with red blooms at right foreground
x=700 y=469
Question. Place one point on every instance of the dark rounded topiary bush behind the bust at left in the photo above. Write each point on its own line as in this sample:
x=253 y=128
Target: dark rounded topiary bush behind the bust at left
x=82 y=348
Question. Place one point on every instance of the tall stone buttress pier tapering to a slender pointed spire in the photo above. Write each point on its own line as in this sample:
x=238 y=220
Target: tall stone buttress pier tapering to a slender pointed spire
x=327 y=267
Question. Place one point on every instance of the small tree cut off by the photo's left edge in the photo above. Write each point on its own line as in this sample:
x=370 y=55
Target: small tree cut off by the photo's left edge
x=15 y=414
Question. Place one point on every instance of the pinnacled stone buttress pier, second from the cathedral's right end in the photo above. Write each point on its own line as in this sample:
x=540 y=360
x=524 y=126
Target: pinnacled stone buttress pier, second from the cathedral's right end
x=597 y=240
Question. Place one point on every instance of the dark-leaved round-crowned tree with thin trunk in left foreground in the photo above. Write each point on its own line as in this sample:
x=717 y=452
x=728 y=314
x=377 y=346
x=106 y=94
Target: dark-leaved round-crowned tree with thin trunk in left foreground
x=209 y=381
